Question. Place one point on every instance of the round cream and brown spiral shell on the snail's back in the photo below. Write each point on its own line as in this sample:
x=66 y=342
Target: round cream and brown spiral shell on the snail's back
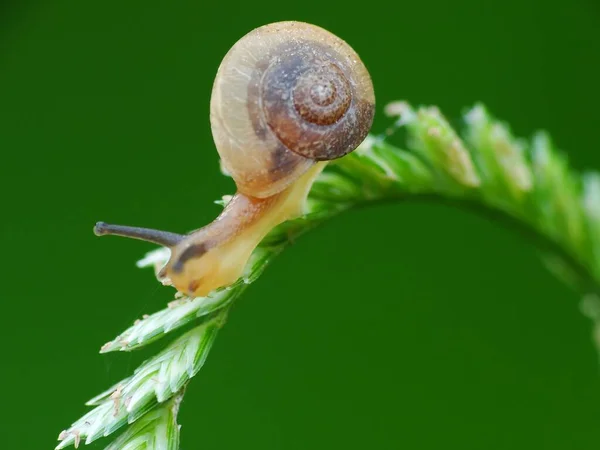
x=286 y=95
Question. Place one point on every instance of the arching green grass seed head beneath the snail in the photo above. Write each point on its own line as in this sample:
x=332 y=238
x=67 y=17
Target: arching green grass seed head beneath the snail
x=526 y=185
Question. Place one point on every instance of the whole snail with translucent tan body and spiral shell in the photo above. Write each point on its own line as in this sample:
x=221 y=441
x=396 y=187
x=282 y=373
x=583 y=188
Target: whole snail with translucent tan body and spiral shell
x=287 y=98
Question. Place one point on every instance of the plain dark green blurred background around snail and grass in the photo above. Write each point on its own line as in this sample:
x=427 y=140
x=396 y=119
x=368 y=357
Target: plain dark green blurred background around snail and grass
x=466 y=341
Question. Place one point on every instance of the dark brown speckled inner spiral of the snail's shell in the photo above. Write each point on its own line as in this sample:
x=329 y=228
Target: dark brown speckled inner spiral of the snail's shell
x=309 y=101
